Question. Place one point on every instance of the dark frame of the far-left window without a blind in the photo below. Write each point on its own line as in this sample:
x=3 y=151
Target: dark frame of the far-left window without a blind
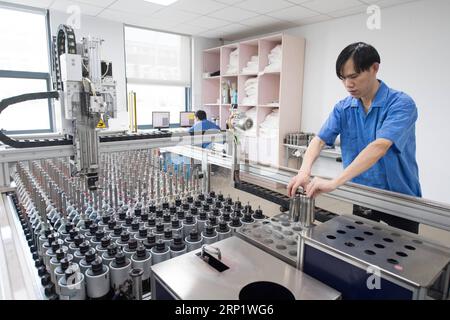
x=21 y=74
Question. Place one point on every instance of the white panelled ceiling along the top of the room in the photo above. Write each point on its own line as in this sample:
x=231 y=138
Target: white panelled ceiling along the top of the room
x=226 y=19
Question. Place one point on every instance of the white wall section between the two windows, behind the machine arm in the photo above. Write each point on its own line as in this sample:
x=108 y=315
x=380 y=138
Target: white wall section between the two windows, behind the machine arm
x=112 y=50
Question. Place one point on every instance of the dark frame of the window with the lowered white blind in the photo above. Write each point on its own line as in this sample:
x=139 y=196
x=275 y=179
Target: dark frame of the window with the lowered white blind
x=187 y=90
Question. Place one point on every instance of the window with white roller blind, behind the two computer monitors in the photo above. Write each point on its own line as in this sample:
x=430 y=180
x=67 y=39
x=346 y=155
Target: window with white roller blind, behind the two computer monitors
x=158 y=68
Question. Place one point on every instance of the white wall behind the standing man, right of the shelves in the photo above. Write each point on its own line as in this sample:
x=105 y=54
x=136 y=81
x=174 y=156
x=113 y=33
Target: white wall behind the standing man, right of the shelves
x=415 y=51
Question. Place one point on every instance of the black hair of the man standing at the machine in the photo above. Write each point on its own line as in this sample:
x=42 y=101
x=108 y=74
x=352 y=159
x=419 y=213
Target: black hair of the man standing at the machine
x=363 y=55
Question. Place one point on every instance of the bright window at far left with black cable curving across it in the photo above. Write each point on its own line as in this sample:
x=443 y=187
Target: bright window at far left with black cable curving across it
x=24 y=68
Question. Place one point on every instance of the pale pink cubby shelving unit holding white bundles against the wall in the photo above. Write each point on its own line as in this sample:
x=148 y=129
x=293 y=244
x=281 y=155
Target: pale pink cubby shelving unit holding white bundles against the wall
x=278 y=89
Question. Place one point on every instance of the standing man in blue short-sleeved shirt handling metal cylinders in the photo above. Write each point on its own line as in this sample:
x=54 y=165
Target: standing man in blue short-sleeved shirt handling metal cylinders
x=376 y=125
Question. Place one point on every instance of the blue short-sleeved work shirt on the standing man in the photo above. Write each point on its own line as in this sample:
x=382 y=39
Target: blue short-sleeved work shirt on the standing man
x=391 y=116
